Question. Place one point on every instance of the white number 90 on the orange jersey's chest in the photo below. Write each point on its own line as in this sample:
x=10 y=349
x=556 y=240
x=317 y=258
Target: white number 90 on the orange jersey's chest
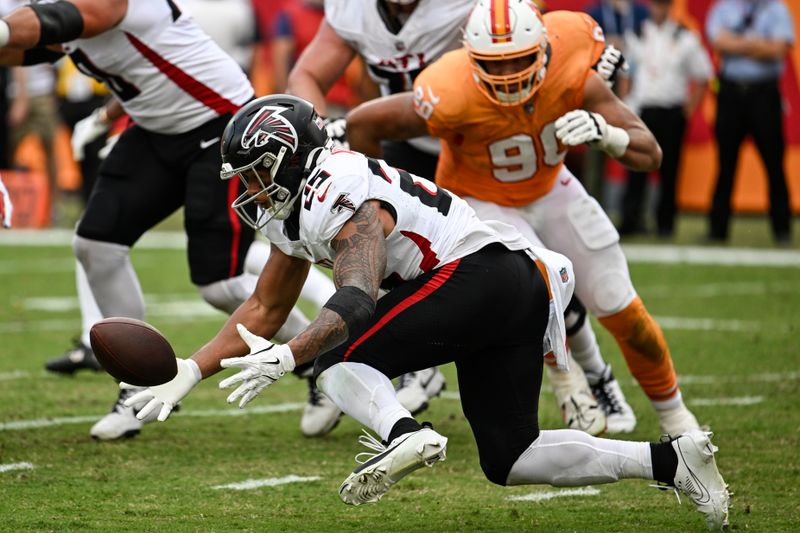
x=514 y=158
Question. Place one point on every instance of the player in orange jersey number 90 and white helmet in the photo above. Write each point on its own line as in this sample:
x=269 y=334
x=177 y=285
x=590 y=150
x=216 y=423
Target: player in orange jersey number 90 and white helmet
x=507 y=107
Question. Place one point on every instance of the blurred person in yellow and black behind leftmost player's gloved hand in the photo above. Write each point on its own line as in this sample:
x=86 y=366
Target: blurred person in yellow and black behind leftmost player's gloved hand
x=79 y=95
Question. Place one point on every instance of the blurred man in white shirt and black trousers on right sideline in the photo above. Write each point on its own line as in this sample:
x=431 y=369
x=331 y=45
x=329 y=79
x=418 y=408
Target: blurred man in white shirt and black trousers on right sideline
x=671 y=73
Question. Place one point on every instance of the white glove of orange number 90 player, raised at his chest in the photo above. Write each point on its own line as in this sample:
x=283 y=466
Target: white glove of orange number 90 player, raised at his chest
x=580 y=126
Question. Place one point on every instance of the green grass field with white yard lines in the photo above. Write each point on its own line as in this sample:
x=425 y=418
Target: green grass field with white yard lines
x=733 y=332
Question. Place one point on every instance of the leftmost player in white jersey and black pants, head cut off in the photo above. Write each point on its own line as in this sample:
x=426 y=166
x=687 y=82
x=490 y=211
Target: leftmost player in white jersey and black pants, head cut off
x=180 y=89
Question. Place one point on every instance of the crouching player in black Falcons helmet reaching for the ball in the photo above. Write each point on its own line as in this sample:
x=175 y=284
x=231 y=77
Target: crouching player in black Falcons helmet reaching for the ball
x=452 y=279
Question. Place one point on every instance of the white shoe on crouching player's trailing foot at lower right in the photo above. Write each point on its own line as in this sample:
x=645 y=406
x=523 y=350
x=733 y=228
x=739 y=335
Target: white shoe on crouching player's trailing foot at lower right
x=698 y=478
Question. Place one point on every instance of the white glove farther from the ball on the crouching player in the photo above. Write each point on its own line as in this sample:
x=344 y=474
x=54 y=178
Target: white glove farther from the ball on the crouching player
x=266 y=364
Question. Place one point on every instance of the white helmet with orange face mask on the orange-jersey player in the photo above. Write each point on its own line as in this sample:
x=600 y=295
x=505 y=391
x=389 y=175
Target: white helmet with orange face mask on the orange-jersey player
x=502 y=30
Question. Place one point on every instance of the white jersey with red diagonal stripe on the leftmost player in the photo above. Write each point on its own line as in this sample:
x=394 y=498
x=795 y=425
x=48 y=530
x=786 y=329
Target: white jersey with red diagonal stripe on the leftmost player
x=169 y=76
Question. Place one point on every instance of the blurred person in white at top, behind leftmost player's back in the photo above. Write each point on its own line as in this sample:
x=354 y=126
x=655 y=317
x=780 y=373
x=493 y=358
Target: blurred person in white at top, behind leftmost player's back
x=230 y=23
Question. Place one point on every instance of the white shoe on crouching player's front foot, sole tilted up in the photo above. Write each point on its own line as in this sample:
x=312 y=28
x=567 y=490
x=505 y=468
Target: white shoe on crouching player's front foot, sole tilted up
x=379 y=471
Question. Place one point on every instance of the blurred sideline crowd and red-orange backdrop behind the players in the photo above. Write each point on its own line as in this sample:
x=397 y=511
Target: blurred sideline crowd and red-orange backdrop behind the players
x=719 y=90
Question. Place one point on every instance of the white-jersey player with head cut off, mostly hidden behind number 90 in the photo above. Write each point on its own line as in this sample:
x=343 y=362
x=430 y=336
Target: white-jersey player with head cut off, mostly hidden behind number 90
x=397 y=39
